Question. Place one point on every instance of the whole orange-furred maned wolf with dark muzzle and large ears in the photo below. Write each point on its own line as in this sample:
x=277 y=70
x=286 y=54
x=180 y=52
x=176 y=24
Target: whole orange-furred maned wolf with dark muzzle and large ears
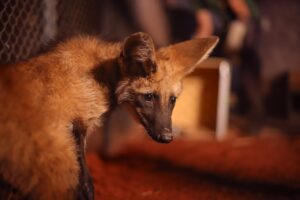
x=48 y=102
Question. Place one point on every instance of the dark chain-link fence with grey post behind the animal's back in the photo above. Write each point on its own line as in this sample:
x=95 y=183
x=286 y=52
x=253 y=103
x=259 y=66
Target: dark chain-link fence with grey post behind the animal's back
x=28 y=25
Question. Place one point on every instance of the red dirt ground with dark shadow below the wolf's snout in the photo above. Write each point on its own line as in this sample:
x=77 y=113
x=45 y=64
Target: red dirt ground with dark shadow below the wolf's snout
x=186 y=170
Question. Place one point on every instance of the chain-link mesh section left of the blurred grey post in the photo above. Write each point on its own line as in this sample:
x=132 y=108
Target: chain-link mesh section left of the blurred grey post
x=21 y=28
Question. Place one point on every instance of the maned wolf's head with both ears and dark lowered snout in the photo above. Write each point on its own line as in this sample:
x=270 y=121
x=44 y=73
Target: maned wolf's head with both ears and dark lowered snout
x=152 y=80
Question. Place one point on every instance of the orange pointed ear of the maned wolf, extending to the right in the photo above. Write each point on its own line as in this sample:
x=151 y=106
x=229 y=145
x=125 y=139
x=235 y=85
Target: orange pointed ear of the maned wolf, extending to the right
x=185 y=56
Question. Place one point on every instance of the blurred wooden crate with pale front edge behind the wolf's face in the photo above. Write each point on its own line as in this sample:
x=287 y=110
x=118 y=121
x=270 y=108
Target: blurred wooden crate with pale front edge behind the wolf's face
x=204 y=103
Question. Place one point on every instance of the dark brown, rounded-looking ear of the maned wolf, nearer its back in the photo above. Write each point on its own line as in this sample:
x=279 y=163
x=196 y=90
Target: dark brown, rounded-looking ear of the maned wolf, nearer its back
x=138 y=55
